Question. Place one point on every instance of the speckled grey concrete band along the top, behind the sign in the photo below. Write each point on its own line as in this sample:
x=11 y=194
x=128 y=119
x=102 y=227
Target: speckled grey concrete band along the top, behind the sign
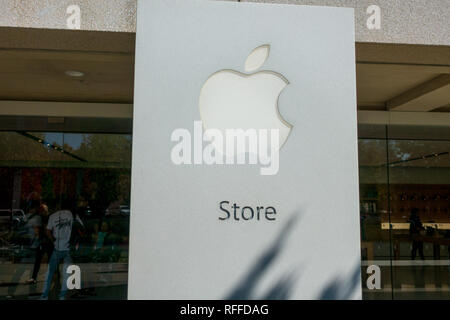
x=402 y=21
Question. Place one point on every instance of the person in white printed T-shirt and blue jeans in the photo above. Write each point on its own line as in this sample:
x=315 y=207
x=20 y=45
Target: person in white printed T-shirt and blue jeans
x=62 y=226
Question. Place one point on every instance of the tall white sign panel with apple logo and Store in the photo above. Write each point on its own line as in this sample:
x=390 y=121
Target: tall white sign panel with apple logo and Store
x=244 y=173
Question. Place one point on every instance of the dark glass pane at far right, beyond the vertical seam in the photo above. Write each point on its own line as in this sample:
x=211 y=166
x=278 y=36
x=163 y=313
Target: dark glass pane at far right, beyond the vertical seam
x=420 y=191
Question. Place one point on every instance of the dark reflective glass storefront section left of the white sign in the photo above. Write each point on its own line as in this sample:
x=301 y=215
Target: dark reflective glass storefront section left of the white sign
x=44 y=172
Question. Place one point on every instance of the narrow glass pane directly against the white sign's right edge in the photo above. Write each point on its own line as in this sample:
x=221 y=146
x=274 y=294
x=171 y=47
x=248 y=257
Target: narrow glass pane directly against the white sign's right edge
x=374 y=213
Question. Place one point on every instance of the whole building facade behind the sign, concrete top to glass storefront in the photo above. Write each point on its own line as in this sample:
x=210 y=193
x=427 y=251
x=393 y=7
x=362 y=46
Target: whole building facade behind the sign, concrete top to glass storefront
x=66 y=116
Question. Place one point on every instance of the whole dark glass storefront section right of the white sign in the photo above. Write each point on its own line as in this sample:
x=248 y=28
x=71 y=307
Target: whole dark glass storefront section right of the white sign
x=405 y=210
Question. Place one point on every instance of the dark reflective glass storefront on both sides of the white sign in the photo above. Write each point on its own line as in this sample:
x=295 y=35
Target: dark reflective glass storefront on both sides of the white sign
x=404 y=203
